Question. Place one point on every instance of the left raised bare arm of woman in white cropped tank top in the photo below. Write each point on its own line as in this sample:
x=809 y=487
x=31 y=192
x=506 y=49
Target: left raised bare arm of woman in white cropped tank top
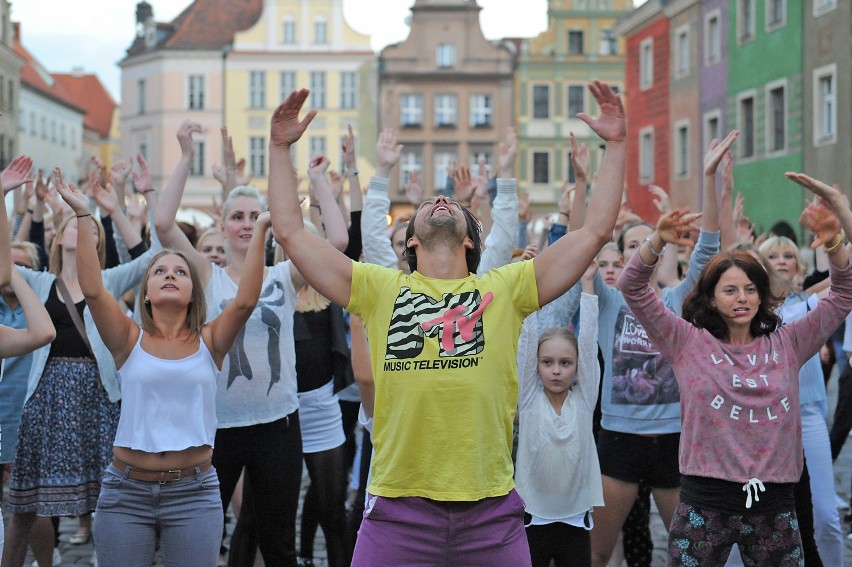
x=114 y=326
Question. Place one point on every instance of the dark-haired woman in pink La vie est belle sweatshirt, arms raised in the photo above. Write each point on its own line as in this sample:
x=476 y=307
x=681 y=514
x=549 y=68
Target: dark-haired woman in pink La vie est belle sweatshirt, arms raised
x=737 y=369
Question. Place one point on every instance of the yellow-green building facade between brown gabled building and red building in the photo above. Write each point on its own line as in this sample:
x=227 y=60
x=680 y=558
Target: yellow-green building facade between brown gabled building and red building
x=552 y=75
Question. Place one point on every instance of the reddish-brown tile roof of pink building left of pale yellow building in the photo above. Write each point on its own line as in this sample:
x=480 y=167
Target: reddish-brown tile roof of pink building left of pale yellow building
x=204 y=24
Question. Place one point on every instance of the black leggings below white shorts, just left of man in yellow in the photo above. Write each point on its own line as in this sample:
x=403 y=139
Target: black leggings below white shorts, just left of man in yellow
x=325 y=502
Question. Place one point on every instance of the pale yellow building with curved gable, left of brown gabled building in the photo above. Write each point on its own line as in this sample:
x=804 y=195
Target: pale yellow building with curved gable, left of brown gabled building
x=300 y=44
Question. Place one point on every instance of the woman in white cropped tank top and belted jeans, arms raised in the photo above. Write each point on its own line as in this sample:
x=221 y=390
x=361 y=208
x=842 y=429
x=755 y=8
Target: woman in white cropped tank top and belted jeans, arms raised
x=161 y=483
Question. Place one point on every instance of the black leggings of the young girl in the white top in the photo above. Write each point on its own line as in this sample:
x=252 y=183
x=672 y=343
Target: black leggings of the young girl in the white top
x=567 y=546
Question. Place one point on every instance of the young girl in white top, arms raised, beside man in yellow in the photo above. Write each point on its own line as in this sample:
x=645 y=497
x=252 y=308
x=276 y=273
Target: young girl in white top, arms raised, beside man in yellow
x=557 y=472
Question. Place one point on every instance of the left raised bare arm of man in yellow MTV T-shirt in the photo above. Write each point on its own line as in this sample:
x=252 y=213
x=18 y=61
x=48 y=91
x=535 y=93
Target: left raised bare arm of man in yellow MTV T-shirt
x=327 y=269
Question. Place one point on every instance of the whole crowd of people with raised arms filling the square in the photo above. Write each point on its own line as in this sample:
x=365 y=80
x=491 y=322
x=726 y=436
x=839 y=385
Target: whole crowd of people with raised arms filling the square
x=520 y=400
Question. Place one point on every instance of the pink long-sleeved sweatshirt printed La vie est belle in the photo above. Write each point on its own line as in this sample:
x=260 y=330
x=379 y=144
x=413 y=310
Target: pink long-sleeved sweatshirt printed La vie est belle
x=740 y=416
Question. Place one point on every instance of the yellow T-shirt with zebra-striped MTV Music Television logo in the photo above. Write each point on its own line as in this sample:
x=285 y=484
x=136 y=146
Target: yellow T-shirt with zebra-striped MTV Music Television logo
x=444 y=364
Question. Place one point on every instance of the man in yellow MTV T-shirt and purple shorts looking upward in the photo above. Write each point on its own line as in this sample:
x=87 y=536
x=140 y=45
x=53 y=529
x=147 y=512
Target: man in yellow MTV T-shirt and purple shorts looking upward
x=443 y=345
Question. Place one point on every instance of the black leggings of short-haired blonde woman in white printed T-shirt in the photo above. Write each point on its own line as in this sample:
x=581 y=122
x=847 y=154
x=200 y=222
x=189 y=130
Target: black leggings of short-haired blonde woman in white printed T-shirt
x=272 y=456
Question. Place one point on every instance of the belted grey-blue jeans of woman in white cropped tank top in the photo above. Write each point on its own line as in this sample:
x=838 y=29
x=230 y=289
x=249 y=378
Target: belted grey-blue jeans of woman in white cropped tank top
x=187 y=514
